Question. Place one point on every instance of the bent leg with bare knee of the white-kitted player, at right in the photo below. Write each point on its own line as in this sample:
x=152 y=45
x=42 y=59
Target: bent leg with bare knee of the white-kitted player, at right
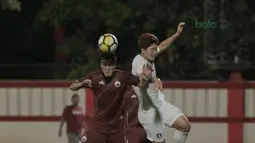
x=174 y=118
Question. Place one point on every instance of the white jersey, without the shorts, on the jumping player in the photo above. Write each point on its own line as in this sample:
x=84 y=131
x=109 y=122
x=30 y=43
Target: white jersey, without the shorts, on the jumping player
x=155 y=94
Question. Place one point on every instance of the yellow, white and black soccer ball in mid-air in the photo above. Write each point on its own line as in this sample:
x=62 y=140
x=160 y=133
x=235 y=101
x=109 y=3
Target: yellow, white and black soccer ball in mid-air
x=108 y=43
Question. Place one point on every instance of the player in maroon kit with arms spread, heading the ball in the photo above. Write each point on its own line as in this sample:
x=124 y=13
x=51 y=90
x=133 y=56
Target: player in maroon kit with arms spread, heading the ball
x=109 y=86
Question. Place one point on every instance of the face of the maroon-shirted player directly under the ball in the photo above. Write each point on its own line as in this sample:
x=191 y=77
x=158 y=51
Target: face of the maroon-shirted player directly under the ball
x=107 y=67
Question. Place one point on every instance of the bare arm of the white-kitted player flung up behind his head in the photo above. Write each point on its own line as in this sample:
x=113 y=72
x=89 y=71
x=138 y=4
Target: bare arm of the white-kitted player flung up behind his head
x=169 y=41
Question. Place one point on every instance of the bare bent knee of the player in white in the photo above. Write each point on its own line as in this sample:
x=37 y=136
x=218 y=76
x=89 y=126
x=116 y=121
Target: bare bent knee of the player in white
x=182 y=124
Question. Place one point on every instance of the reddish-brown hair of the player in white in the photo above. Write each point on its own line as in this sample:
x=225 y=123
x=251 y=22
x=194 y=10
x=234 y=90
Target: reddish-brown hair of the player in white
x=146 y=40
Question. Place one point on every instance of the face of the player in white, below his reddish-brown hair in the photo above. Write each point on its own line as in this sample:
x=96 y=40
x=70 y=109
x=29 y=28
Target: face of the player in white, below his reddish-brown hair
x=150 y=53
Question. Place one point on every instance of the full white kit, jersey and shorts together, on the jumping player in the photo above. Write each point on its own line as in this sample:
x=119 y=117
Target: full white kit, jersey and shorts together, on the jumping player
x=155 y=131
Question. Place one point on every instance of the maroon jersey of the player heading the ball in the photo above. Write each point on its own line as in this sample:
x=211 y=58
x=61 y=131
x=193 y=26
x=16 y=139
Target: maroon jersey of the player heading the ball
x=109 y=97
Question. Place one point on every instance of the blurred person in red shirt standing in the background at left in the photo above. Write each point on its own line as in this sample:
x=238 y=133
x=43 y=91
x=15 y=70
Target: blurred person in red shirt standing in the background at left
x=73 y=116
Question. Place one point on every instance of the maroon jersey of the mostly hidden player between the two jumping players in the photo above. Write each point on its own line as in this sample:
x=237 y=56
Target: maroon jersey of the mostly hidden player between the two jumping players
x=131 y=109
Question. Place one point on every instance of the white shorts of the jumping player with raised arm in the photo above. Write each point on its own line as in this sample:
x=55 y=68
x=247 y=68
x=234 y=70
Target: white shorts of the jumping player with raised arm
x=156 y=131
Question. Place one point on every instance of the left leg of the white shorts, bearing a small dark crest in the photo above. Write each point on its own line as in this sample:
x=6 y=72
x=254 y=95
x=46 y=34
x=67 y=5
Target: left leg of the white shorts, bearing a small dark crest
x=154 y=130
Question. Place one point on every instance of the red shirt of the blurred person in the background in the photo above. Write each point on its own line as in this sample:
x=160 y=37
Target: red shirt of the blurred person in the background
x=73 y=115
